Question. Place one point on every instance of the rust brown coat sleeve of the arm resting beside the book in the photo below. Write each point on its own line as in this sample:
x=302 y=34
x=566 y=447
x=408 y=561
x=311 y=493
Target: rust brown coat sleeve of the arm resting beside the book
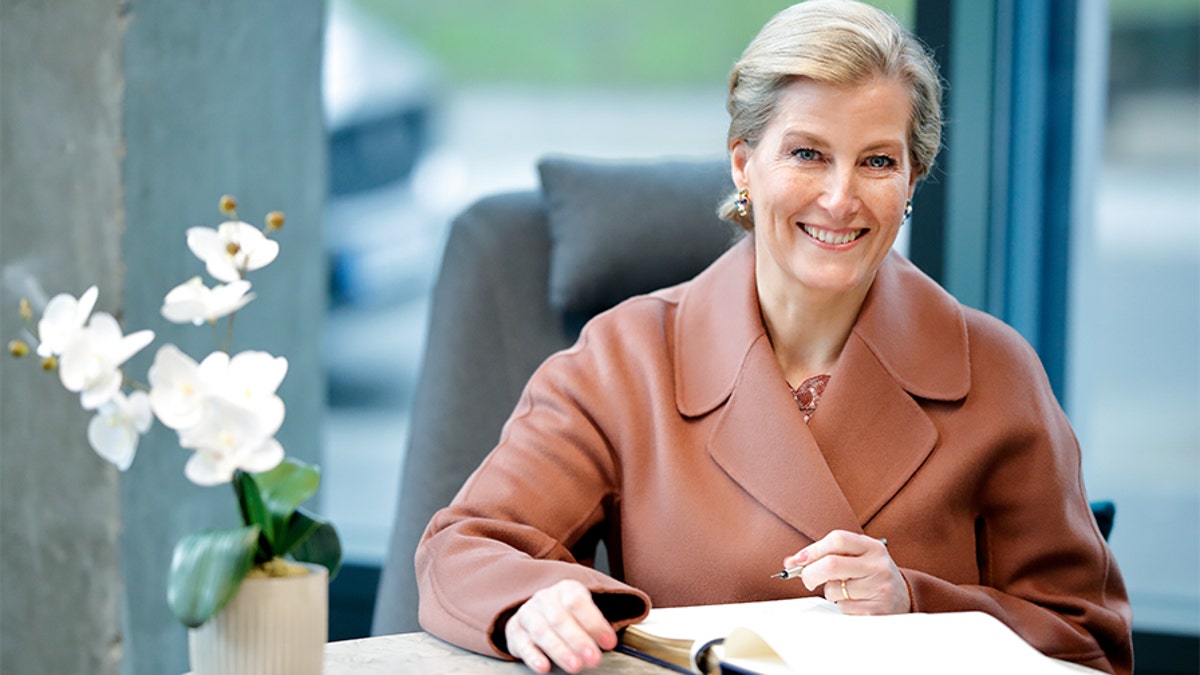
x=530 y=515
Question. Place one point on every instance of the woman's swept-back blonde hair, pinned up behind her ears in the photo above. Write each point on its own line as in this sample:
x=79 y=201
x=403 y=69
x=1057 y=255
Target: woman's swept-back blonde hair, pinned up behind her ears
x=838 y=43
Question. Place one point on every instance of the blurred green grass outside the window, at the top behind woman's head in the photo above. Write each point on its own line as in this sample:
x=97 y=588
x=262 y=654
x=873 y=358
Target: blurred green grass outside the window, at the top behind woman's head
x=586 y=44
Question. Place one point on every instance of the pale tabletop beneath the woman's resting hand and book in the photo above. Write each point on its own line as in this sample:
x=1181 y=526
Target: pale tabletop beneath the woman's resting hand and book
x=422 y=653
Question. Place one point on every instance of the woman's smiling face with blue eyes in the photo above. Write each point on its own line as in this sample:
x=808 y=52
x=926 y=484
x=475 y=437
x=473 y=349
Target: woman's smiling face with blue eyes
x=829 y=182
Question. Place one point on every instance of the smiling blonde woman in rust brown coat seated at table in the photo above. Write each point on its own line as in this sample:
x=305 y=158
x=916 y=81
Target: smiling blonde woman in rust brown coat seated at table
x=806 y=398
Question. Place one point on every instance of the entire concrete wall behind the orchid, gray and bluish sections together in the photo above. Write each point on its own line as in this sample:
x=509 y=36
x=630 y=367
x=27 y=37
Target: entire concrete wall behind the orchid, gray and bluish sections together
x=121 y=127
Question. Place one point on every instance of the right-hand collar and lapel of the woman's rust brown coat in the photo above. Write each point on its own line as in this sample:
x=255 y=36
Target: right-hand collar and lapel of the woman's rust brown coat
x=910 y=341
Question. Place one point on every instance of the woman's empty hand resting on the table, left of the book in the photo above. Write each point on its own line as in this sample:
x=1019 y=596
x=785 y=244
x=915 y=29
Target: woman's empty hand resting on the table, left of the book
x=560 y=624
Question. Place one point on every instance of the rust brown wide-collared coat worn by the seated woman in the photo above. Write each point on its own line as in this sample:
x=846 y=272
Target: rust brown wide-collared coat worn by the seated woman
x=670 y=433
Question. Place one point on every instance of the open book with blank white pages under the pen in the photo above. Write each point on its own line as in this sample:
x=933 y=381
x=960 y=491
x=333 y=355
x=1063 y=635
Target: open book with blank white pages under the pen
x=813 y=636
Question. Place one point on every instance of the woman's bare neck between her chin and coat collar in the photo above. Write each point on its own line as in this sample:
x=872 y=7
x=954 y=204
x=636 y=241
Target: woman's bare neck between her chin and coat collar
x=808 y=328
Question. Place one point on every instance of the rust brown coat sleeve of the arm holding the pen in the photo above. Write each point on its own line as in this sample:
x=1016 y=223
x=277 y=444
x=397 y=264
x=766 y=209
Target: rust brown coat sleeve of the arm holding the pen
x=1046 y=570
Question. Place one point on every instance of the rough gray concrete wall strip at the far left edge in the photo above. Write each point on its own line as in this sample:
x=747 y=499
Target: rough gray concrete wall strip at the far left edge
x=61 y=226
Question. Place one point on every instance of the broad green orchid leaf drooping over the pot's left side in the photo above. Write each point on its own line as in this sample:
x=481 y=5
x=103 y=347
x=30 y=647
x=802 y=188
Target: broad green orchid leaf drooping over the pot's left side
x=207 y=570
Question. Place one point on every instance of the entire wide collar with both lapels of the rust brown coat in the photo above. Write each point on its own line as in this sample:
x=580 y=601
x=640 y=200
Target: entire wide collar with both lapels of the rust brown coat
x=869 y=434
